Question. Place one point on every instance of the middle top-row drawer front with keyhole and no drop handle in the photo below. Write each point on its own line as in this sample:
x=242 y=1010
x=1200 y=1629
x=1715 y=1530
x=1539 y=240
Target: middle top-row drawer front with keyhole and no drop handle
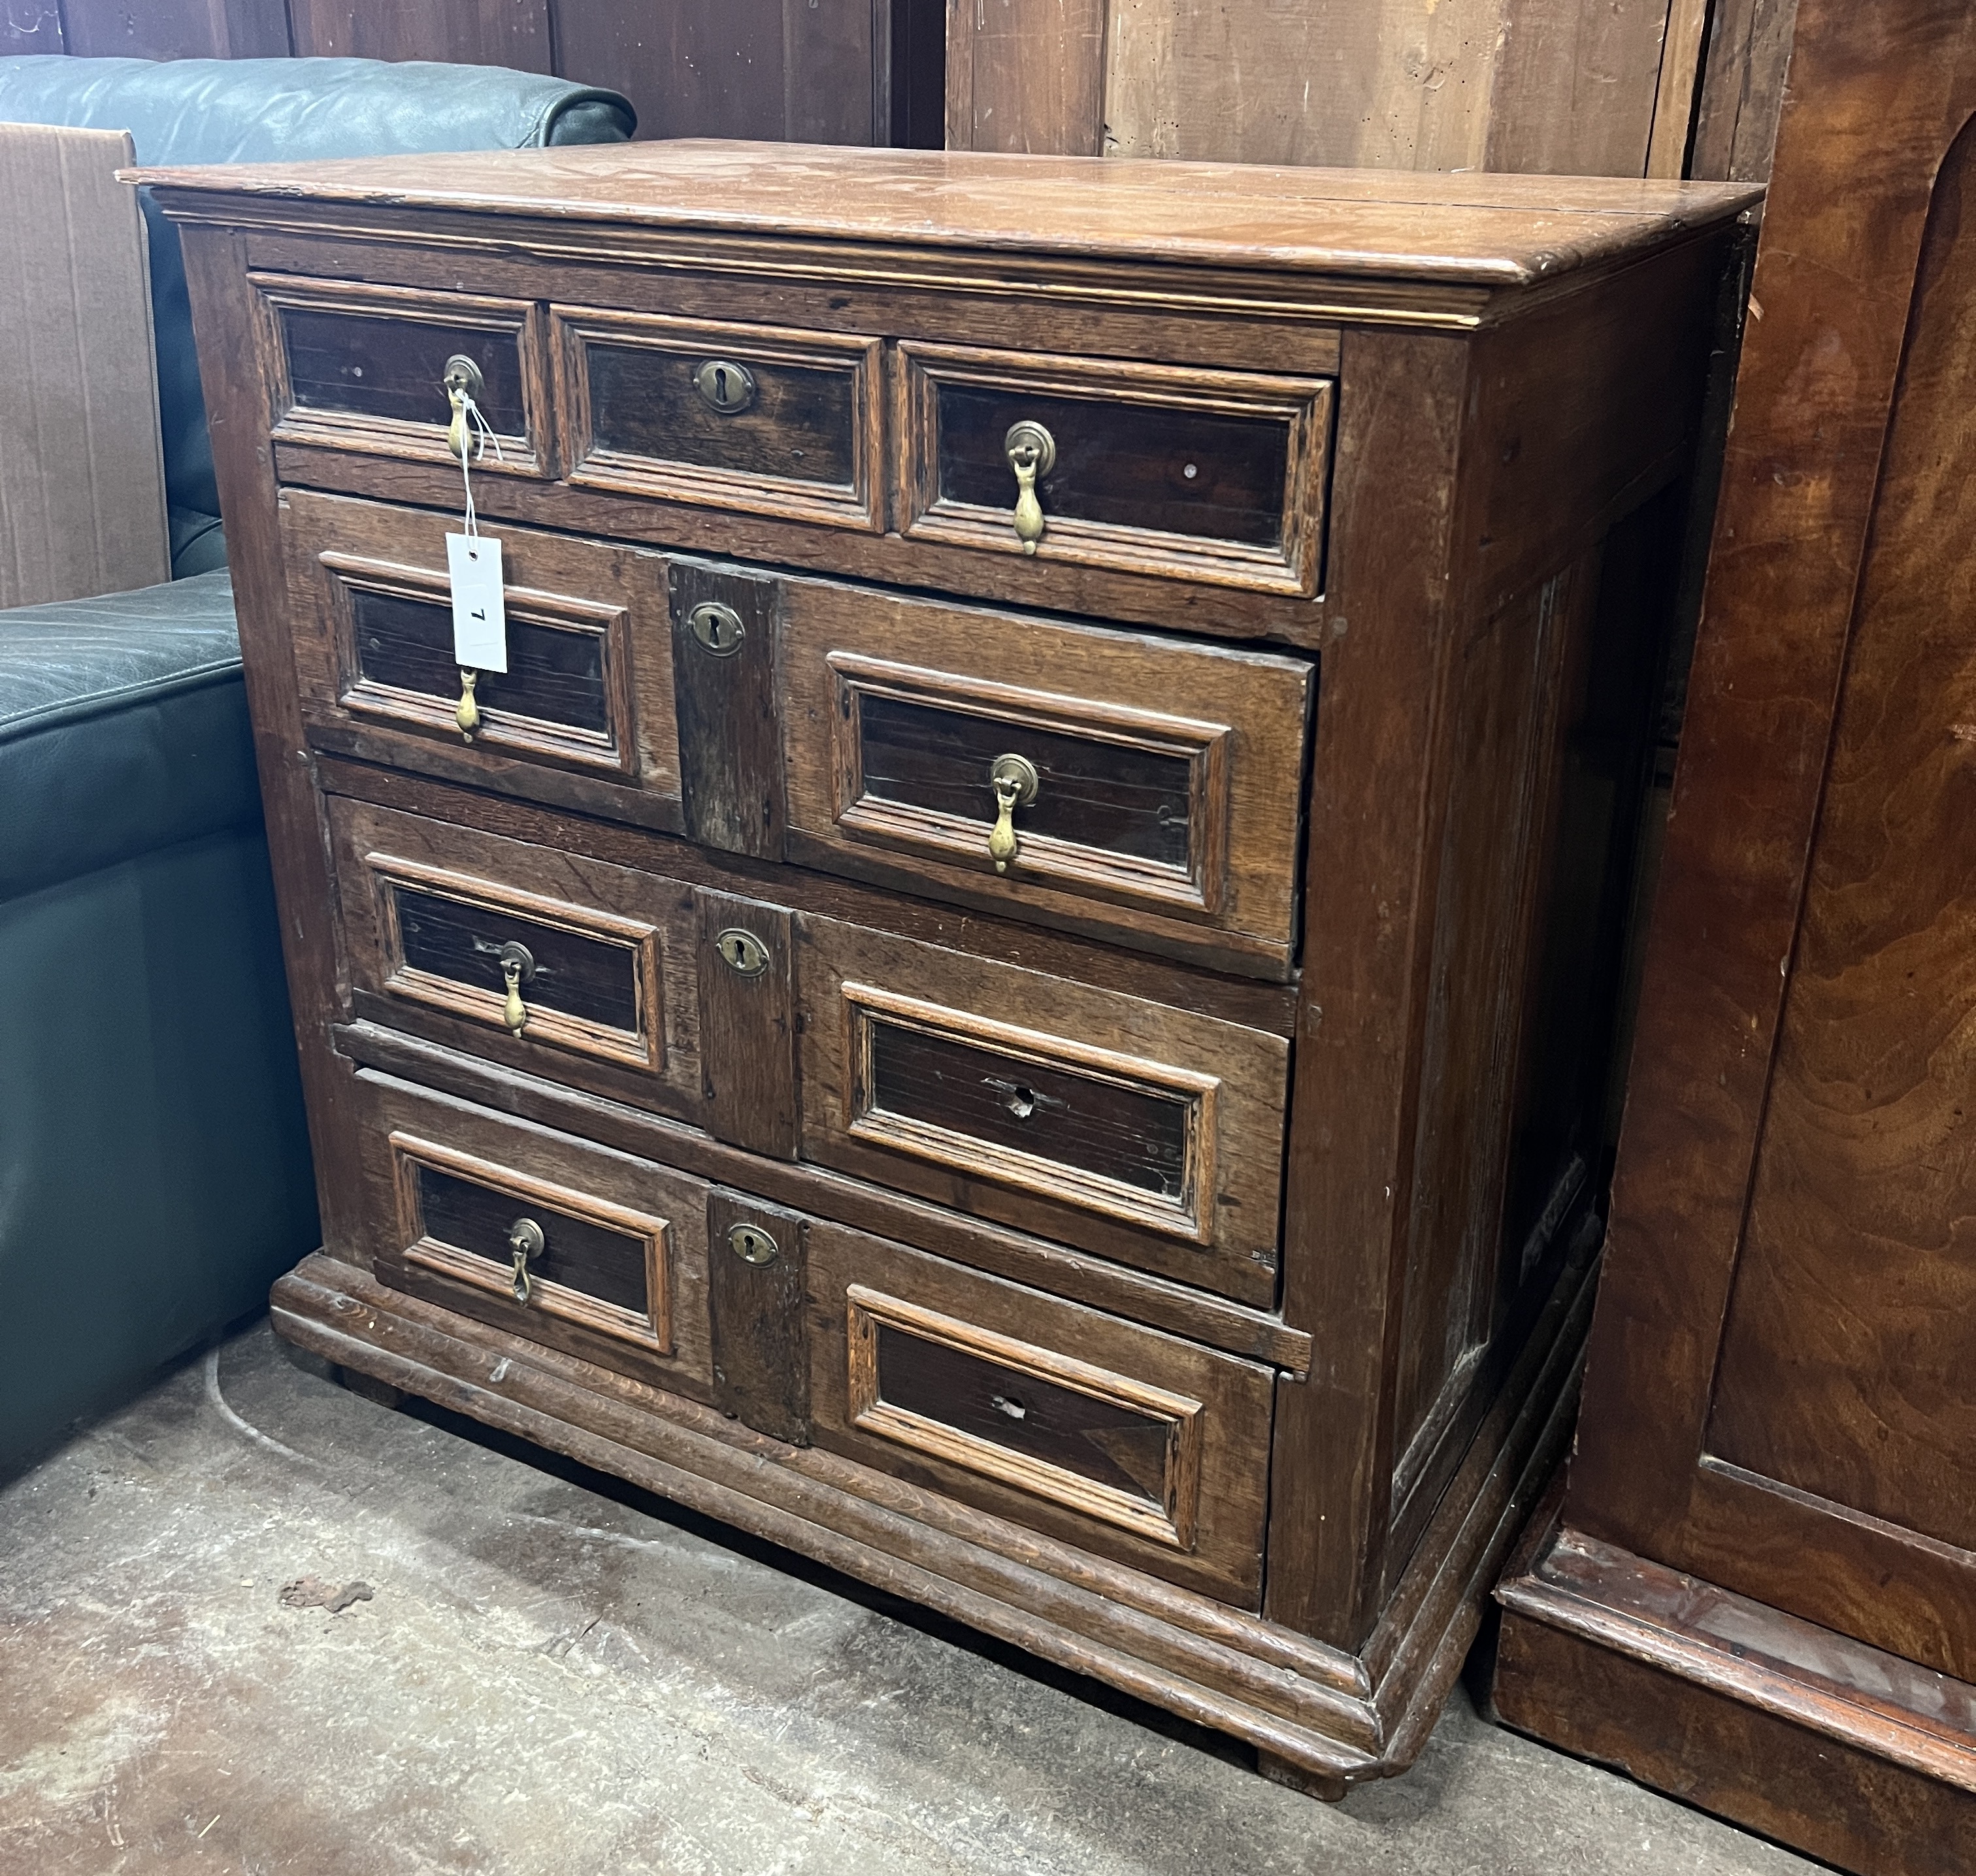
x=758 y=418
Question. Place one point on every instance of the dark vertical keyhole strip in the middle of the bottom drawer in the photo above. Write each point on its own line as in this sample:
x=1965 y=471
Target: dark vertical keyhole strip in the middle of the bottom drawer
x=762 y=1349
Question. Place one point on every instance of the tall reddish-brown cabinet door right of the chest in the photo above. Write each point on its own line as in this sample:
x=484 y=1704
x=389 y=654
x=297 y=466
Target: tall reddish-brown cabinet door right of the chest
x=1783 y=1379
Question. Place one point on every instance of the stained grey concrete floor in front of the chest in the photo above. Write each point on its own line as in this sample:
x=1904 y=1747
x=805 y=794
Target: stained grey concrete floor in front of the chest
x=560 y=1677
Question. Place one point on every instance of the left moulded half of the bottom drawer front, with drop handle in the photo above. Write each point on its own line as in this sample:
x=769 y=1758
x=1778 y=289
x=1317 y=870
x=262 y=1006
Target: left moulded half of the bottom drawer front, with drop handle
x=529 y=1231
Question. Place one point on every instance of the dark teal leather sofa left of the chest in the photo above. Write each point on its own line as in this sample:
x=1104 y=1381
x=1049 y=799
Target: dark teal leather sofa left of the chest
x=155 y=1171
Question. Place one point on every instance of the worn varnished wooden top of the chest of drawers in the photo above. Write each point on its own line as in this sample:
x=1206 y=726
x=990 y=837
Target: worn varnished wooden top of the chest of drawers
x=1487 y=230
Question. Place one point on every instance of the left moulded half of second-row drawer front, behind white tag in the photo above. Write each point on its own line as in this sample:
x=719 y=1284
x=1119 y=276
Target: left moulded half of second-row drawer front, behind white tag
x=590 y=647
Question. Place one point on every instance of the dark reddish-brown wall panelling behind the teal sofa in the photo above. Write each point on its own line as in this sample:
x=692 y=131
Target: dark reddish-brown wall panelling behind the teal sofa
x=853 y=72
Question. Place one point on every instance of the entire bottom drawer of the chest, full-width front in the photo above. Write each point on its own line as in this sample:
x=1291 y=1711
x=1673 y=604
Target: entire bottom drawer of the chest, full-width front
x=1106 y=1434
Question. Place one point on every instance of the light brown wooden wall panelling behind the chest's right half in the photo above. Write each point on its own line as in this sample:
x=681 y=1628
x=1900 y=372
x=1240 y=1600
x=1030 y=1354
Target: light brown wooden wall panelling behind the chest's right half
x=1600 y=88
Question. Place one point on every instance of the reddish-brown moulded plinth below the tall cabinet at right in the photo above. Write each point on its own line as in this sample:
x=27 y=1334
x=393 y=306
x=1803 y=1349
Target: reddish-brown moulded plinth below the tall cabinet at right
x=1807 y=1737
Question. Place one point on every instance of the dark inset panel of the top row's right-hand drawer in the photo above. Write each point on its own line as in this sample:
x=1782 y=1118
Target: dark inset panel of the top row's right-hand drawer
x=1123 y=466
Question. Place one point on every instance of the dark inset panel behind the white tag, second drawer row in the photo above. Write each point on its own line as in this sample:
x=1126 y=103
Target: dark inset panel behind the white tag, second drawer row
x=554 y=675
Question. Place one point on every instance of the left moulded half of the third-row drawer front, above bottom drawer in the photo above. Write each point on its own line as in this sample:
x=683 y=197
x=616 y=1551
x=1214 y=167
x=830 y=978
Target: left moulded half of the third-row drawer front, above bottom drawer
x=564 y=966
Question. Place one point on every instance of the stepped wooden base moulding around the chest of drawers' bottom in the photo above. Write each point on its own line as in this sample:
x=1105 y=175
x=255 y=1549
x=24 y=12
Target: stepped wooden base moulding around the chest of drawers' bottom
x=1319 y=1719
